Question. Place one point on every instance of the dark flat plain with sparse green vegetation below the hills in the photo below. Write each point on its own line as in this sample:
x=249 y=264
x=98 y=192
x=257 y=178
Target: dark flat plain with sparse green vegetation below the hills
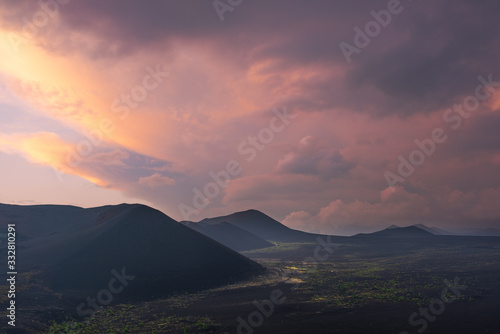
x=438 y=284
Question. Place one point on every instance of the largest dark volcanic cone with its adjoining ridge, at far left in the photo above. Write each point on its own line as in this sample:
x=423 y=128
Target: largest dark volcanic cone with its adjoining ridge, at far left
x=76 y=249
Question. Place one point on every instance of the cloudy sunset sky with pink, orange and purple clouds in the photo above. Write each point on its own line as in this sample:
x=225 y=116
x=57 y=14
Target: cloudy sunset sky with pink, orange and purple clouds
x=330 y=116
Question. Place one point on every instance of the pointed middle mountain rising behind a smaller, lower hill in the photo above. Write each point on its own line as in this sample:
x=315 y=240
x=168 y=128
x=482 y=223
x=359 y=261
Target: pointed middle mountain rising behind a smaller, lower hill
x=263 y=226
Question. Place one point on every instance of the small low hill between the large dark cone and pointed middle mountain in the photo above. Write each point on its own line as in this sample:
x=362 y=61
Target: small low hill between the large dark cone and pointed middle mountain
x=230 y=235
